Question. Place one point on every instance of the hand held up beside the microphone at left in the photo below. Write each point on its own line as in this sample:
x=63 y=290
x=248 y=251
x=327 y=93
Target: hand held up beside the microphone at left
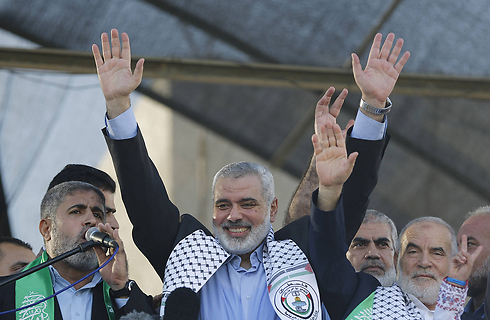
x=115 y=273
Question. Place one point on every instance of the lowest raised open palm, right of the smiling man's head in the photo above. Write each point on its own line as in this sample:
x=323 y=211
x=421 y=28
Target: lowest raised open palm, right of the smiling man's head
x=333 y=166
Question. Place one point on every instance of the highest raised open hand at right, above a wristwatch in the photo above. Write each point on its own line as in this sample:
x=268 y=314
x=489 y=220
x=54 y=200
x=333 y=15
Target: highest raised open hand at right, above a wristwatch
x=378 y=79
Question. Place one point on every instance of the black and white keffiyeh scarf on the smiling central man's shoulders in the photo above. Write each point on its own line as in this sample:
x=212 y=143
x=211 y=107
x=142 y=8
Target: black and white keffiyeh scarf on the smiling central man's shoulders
x=291 y=283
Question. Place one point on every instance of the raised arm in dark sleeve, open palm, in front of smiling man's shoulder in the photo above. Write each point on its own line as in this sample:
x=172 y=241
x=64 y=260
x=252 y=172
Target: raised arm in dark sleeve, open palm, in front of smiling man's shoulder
x=327 y=232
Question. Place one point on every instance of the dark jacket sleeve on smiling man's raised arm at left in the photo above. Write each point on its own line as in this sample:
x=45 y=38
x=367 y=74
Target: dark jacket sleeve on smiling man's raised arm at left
x=154 y=217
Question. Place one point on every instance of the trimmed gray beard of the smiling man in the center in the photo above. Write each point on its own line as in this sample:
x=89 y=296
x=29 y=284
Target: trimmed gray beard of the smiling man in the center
x=238 y=246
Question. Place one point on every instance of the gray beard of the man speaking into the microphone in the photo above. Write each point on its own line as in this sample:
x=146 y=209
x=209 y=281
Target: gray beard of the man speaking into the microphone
x=62 y=243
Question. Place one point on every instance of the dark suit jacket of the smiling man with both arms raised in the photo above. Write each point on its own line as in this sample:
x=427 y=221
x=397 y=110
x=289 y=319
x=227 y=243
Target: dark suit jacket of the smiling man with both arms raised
x=157 y=226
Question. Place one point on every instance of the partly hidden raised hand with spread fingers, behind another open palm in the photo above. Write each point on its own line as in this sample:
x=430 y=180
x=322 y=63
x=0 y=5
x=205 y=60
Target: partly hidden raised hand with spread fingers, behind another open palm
x=328 y=114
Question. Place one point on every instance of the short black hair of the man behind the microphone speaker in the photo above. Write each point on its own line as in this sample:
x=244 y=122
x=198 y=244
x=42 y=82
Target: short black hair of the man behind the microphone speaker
x=84 y=173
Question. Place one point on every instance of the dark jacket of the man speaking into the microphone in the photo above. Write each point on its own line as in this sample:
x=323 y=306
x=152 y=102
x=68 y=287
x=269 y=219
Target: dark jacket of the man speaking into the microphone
x=137 y=301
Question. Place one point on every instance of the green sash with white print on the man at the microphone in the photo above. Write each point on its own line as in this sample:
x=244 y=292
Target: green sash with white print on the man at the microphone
x=38 y=286
